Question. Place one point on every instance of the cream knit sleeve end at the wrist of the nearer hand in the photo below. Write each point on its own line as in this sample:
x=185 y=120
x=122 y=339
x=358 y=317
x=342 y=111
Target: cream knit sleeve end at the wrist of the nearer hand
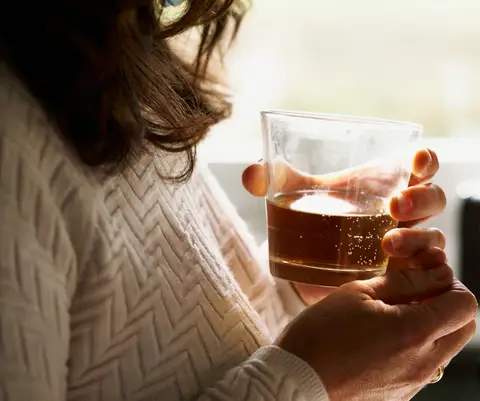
x=269 y=374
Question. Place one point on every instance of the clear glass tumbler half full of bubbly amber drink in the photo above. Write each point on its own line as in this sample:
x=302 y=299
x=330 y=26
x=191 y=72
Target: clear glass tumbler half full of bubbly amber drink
x=330 y=181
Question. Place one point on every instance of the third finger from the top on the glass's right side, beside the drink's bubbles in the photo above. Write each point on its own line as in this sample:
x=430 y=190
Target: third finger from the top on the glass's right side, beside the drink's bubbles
x=404 y=242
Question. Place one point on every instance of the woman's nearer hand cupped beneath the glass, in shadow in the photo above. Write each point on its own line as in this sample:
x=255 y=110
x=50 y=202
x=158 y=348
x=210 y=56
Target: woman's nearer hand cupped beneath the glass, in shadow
x=384 y=339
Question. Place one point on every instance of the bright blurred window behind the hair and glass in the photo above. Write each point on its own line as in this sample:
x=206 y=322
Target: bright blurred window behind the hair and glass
x=414 y=60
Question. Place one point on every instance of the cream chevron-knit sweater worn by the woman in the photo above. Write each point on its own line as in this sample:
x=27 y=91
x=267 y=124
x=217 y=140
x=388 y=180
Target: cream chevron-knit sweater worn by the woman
x=129 y=288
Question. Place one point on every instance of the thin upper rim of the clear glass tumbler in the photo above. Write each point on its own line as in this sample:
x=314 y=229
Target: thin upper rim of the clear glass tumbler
x=340 y=118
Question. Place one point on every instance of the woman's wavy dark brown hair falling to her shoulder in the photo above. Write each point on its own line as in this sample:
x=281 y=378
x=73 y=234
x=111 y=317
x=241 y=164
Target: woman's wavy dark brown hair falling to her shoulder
x=107 y=73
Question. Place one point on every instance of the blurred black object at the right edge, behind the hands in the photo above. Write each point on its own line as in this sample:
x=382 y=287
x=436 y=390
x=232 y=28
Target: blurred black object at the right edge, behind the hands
x=470 y=243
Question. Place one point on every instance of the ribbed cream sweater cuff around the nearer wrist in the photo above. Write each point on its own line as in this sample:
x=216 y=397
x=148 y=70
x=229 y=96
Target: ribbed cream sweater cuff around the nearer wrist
x=299 y=371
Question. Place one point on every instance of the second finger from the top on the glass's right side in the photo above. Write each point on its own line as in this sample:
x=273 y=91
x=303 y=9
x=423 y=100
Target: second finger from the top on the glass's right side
x=418 y=202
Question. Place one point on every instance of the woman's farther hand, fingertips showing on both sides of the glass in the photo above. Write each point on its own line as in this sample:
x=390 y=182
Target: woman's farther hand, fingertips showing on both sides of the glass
x=420 y=201
